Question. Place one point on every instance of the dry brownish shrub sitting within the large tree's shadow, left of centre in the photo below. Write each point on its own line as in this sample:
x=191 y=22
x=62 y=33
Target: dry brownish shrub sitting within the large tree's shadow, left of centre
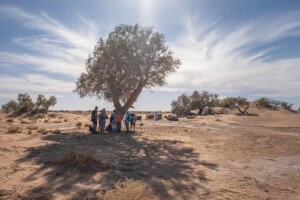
x=78 y=158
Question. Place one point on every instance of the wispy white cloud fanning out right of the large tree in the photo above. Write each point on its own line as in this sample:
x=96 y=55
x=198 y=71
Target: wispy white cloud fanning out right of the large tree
x=237 y=59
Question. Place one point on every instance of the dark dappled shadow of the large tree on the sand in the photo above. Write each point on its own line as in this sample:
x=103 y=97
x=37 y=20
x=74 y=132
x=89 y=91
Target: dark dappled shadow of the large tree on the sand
x=167 y=166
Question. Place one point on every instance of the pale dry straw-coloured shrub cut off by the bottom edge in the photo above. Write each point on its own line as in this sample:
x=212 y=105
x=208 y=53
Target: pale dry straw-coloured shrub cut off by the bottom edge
x=129 y=189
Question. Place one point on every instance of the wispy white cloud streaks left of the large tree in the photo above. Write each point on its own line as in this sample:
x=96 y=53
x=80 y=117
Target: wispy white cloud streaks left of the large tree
x=57 y=49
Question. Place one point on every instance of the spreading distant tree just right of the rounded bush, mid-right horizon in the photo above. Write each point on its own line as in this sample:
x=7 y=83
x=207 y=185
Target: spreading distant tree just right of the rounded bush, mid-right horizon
x=204 y=99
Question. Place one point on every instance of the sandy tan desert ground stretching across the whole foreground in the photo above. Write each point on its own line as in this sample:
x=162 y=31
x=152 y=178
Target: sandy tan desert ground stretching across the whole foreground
x=222 y=156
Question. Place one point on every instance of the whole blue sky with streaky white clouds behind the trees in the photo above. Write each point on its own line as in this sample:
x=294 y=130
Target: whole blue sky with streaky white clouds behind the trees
x=229 y=47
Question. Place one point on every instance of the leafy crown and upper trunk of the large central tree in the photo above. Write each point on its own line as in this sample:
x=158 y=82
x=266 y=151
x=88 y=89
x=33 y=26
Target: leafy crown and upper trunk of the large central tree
x=130 y=59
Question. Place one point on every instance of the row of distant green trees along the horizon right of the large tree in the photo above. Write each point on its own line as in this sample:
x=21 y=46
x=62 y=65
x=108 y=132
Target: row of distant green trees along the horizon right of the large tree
x=199 y=101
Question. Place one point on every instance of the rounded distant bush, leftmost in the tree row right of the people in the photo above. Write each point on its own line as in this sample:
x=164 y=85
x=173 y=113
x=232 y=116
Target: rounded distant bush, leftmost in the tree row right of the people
x=182 y=106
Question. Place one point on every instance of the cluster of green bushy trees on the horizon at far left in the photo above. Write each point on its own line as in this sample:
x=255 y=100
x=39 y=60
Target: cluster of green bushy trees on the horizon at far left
x=25 y=104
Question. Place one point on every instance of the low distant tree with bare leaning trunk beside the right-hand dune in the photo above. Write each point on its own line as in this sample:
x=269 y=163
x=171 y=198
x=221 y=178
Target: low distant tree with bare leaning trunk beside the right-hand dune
x=239 y=103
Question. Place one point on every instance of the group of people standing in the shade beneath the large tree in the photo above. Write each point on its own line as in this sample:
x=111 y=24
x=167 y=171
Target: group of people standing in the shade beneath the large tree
x=115 y=121
